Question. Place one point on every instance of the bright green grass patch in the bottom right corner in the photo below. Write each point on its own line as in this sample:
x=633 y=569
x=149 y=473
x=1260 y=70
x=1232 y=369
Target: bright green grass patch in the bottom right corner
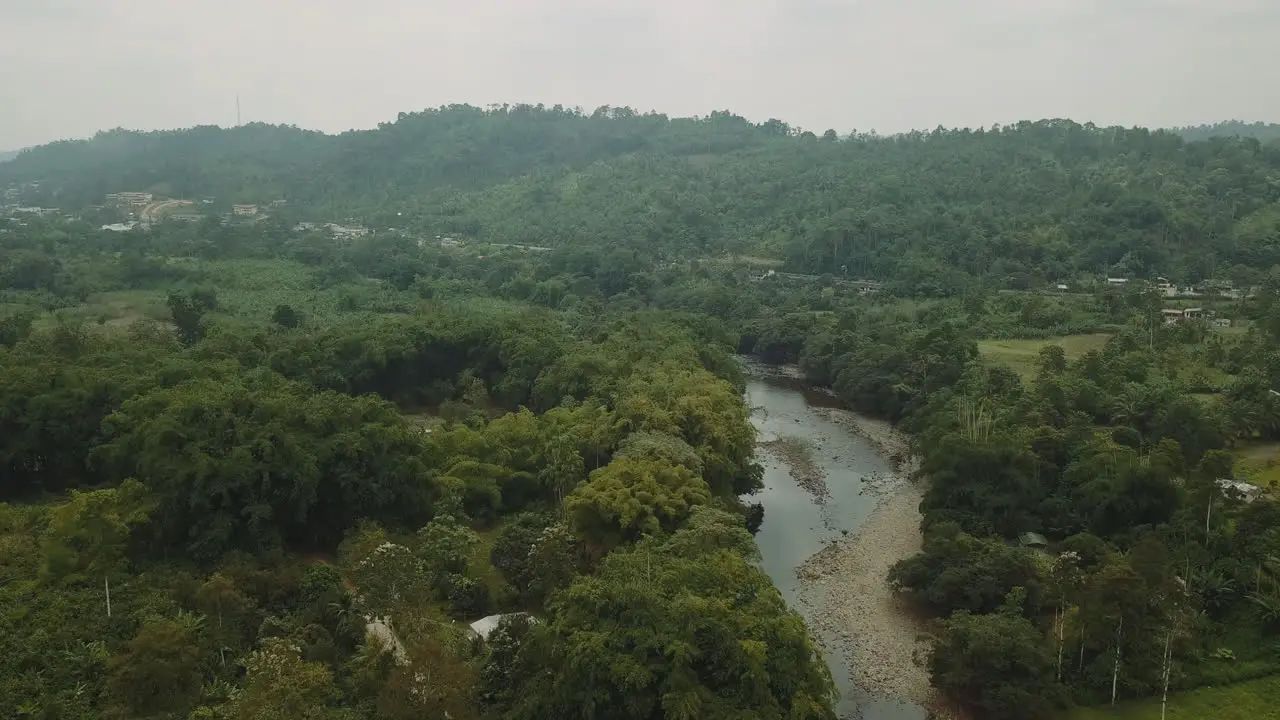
x=1255 y=700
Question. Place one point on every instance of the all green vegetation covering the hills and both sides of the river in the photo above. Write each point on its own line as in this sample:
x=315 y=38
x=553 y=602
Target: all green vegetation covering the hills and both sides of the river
x=255 y=470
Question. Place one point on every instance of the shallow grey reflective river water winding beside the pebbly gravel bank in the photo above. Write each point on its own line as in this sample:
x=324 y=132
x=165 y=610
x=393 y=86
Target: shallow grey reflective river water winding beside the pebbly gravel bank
x=797 y=525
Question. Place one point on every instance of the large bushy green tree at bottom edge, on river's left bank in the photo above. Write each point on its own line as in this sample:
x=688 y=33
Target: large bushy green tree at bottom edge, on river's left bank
x=671 y=631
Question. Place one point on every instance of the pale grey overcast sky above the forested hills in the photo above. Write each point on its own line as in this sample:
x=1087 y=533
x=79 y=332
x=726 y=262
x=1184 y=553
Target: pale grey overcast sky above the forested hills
x=72 y=67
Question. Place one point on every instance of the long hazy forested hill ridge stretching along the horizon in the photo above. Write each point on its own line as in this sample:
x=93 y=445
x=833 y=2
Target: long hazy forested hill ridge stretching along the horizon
x=1049 y=200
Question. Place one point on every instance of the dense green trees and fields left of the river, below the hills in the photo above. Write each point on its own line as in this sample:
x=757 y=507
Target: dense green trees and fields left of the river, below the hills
x=205 y=509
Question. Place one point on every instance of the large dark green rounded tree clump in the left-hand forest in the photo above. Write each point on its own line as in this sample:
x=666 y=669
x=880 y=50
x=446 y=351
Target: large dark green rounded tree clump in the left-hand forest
x=254 y=462
